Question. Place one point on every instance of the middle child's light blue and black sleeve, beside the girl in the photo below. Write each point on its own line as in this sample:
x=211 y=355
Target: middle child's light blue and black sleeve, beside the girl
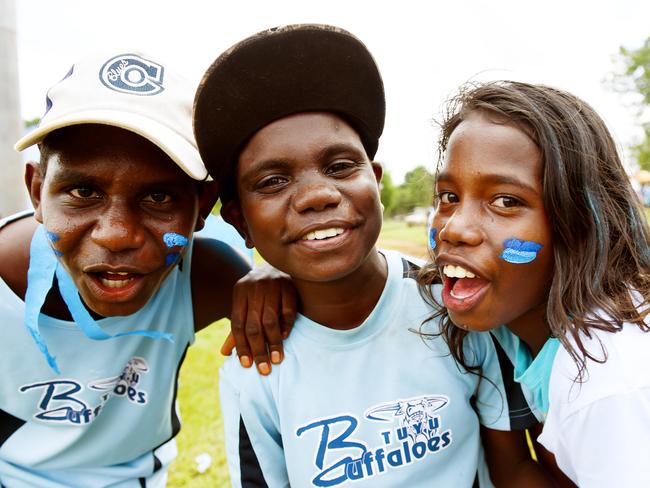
x=500 y=401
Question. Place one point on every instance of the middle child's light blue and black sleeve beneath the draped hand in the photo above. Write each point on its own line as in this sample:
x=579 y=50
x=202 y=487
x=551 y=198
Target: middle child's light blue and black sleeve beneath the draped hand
x=252 y=435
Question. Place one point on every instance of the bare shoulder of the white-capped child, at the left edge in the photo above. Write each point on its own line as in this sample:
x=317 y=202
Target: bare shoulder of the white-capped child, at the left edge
x=15 y=237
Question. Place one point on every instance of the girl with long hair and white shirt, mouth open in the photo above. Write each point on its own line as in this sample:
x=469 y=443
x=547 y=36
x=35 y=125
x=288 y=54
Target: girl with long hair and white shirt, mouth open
x=539 y=237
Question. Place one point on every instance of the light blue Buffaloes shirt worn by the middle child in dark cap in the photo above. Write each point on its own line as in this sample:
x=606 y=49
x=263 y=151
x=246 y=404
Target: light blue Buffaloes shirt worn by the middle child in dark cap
x=376 y=406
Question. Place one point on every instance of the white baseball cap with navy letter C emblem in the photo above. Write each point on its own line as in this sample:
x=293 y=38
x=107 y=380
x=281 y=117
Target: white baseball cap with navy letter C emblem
x=131 y=91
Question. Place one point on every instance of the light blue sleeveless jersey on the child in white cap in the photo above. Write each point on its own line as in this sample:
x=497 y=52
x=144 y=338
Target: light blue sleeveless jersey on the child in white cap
x=109 y=418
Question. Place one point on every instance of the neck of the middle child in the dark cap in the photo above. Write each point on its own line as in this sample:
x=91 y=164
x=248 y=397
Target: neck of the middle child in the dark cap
x=346 y=302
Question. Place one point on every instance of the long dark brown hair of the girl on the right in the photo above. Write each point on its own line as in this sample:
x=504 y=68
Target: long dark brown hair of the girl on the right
x=600 y=234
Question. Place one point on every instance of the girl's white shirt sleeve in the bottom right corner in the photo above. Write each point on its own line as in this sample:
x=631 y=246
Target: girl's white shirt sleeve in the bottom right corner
x=605 y=443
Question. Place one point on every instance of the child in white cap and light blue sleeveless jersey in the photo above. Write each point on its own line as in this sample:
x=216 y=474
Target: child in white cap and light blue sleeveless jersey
x=103 y=288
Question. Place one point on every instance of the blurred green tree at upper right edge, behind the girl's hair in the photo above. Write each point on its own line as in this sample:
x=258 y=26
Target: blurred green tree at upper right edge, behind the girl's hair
x=635 y=76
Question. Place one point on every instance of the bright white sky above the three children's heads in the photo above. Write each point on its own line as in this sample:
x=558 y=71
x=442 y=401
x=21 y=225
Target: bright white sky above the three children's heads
x=424 y=49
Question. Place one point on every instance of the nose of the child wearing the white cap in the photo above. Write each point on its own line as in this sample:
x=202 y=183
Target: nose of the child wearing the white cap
x=118 y=229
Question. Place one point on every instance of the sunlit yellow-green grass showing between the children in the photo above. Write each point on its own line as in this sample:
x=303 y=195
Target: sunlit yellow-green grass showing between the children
x=198 y=399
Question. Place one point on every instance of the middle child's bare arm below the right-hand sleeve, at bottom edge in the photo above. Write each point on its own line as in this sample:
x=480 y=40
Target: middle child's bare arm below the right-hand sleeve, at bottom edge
x=509 y=460
